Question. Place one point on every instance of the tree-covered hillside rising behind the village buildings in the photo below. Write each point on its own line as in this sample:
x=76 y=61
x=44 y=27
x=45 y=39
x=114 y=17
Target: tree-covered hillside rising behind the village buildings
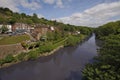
x=9 y=17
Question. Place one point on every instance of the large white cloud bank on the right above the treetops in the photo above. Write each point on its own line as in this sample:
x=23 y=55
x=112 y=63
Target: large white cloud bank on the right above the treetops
x=95 y=16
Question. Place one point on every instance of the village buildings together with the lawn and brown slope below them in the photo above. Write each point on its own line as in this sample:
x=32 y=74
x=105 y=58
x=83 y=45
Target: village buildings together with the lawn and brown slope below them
x=33 y=32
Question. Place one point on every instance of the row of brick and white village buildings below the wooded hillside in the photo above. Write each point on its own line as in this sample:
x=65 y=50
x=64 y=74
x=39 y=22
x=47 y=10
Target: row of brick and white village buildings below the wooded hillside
x=34 y=31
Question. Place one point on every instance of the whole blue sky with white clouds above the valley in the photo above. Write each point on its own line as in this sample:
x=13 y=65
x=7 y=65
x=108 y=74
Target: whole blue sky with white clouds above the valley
x=91 y=13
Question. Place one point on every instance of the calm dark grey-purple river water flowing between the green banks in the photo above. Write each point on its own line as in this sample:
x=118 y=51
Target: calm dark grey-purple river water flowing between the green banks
x=66 y=64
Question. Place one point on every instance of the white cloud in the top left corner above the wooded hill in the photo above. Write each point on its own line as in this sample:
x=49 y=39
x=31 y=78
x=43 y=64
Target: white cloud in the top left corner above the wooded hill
x=12 y=4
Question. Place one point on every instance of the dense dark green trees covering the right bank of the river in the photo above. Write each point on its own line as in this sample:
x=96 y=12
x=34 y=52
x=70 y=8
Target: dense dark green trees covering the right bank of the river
x=107 y=63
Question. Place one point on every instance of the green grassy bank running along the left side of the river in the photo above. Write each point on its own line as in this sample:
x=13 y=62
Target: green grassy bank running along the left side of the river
x=46 y=49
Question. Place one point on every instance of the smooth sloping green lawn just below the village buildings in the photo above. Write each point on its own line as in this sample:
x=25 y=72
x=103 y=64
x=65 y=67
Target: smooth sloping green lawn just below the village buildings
x=13 y=39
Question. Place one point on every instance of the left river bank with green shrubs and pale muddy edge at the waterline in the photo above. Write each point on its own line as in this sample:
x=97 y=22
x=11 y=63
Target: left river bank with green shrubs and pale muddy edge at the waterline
x=39 y=52
